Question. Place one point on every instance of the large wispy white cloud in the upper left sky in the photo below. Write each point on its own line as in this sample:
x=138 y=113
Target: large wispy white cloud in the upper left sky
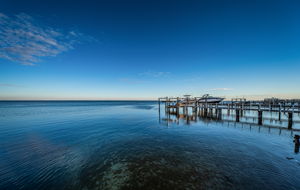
x=25 y=41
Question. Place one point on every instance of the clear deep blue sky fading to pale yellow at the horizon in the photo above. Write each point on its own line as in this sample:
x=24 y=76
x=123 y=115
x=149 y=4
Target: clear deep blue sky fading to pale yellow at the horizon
x=121 y=49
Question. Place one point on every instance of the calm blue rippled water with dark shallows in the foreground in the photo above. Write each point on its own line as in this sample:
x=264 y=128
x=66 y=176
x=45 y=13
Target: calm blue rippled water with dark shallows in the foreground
x=122 y=145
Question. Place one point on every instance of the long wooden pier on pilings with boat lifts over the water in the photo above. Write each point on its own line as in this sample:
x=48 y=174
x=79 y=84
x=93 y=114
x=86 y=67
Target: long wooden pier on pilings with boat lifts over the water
x=241 y=110
